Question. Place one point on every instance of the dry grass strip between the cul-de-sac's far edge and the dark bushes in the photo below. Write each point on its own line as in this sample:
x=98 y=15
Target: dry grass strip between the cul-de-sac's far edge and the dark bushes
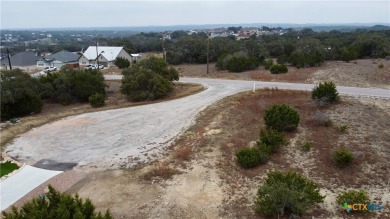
x=52 y=112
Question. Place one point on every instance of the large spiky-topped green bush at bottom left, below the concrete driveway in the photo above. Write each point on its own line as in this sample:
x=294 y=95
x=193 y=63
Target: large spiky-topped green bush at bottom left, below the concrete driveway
x=54 y=205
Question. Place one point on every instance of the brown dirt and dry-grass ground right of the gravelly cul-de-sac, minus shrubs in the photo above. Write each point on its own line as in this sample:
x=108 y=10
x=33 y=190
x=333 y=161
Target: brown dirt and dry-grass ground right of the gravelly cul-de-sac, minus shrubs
x=200 y=177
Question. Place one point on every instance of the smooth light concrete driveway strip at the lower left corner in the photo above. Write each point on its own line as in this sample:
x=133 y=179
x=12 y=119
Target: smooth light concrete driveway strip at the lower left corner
x=19 y=184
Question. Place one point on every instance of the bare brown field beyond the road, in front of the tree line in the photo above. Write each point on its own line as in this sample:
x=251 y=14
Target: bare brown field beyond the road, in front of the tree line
x=358 y=73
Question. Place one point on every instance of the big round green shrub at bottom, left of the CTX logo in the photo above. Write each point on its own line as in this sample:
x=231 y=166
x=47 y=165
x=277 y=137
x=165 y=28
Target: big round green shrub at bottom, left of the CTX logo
x=287 y=193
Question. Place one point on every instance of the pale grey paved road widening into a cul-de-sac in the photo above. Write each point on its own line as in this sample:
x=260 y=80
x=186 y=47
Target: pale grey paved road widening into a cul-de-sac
x=123 y=137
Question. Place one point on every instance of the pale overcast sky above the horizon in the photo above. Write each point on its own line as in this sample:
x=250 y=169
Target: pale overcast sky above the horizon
x=57 y=14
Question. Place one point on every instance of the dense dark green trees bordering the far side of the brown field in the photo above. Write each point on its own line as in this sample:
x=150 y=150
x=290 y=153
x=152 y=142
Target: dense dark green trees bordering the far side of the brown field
x=299 y=48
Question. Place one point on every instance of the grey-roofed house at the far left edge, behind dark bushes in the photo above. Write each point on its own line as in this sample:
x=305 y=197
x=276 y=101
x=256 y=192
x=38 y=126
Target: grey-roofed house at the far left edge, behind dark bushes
x=23 y=60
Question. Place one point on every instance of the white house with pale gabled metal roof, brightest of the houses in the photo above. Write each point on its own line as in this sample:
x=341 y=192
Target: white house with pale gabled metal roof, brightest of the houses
x=105 y=54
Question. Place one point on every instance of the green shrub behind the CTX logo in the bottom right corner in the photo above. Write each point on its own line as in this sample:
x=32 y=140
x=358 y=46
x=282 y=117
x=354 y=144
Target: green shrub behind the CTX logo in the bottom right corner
x=353 y=197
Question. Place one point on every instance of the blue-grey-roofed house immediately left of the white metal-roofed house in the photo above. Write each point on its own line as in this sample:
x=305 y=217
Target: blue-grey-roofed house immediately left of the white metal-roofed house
x=59 y=59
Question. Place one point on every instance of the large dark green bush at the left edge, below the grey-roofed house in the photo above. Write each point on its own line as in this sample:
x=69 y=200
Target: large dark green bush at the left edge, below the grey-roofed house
x=19 y=94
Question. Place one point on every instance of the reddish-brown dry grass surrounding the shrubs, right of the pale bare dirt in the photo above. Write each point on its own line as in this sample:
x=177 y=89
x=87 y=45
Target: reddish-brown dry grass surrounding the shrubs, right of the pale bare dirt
x=240 y=118
